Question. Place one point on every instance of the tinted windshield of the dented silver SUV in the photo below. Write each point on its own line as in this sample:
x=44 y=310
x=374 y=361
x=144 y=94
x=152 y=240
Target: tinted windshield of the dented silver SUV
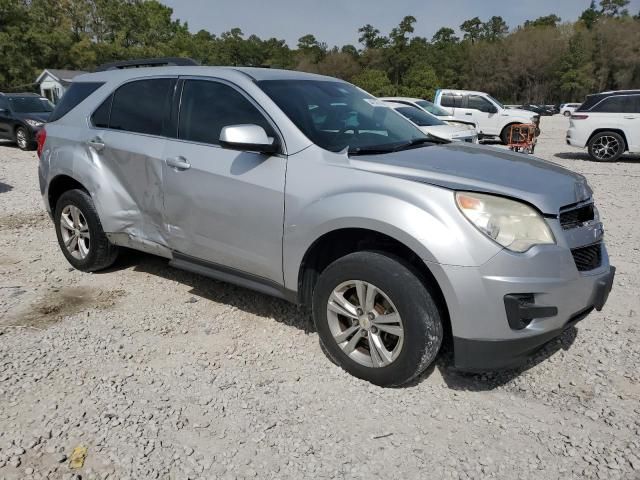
x=336 y=115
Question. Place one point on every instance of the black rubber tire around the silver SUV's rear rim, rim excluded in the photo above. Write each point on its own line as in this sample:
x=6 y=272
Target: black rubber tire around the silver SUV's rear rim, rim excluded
x=102 y=253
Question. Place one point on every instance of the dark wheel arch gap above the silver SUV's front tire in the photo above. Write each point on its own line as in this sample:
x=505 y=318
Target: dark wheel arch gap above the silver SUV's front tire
x=343 y=241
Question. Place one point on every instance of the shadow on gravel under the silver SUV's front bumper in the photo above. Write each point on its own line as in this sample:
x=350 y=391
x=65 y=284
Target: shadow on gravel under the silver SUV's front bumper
x=486 y=381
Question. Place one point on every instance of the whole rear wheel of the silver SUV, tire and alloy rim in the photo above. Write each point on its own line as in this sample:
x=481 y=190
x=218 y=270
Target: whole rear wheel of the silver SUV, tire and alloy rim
x=80 y=234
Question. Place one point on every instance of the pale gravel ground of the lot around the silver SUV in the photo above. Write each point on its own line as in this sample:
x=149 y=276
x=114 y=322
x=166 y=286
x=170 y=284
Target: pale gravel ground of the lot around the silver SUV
x=165 y=374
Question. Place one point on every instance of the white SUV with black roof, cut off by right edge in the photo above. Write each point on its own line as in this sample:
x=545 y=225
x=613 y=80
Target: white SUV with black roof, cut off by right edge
x=608 y=124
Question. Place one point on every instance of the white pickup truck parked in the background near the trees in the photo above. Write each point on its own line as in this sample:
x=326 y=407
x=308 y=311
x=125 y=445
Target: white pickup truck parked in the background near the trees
x=490 y=116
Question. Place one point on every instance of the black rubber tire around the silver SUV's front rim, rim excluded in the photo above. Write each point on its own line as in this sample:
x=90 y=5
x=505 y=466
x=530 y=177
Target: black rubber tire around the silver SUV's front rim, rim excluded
x=421 y=319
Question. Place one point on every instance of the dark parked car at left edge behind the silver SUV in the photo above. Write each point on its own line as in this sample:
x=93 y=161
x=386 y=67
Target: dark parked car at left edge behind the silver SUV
x=22 y=115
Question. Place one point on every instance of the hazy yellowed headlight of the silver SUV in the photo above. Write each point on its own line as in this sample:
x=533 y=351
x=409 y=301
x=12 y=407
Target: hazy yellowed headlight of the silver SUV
x=514 y=225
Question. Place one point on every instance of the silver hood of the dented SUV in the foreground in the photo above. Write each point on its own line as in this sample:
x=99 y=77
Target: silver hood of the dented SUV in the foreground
x=464 y=166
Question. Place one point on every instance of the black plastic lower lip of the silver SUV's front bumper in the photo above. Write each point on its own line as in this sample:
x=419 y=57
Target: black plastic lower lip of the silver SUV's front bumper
x=479 y=355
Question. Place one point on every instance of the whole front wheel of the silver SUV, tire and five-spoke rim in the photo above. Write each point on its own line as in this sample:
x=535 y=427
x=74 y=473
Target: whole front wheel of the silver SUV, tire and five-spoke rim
x=376 y=319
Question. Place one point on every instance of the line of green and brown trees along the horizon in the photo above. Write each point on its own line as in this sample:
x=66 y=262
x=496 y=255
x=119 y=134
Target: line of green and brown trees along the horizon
x=544 y=60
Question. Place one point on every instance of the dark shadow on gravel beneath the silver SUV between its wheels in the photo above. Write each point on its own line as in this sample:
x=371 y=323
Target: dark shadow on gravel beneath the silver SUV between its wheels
x=220 y=292
